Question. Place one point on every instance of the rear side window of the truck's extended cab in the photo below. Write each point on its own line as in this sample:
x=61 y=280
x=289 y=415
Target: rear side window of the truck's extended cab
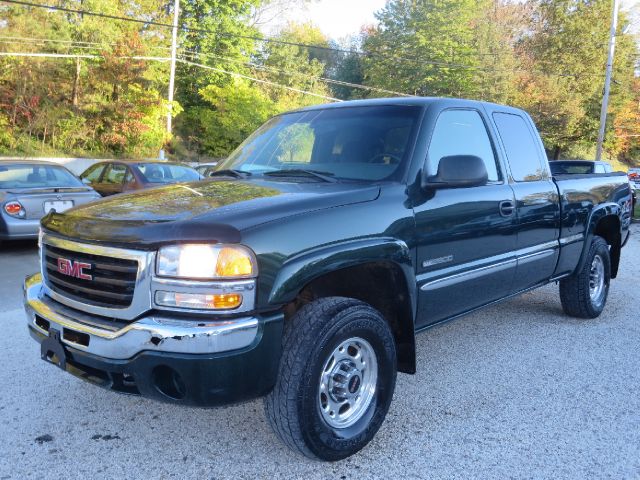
x=522 y=150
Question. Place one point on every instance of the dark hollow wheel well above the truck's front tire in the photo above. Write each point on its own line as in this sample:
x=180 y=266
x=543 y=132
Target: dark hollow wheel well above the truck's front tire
x=380 y=284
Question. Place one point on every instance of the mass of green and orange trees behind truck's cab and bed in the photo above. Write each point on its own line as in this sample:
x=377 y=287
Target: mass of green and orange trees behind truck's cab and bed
x=547 y=56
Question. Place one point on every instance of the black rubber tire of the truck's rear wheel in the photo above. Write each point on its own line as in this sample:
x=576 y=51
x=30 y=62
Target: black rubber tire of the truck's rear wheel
x=575 y=292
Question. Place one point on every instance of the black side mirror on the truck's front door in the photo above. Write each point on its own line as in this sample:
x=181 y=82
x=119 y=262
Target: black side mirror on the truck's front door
x=457 y=171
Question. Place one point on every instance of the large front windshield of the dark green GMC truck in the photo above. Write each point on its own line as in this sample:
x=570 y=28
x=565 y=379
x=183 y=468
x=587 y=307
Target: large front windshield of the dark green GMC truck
x=354 y=143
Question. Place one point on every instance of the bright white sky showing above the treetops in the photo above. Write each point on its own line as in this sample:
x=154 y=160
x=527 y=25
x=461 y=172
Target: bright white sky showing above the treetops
x=341 y=18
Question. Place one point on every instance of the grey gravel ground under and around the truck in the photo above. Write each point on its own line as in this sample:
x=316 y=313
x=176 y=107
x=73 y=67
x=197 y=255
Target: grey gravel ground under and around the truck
x=514 y=391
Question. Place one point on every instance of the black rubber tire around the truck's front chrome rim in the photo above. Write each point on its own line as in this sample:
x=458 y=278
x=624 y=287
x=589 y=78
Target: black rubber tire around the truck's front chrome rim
x=293 y=408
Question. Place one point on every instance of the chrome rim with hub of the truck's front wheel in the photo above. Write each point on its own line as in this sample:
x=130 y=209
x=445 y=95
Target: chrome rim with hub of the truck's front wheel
x=348 y=383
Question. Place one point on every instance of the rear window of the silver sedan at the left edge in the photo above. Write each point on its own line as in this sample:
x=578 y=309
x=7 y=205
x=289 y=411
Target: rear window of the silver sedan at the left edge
x=36 y=176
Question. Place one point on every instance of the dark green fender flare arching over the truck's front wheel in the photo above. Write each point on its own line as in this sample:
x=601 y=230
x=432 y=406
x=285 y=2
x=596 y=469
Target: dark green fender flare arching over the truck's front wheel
x=300 y=270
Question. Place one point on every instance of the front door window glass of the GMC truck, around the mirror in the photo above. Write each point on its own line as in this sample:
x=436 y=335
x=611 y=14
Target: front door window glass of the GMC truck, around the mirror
x=461 y=132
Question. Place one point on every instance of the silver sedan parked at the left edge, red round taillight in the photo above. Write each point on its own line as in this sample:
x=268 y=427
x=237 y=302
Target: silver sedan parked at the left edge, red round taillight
x=31 y=189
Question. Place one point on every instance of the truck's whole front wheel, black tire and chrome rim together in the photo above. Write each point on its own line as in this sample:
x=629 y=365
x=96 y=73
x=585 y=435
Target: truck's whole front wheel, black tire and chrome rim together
x=336 y=378
